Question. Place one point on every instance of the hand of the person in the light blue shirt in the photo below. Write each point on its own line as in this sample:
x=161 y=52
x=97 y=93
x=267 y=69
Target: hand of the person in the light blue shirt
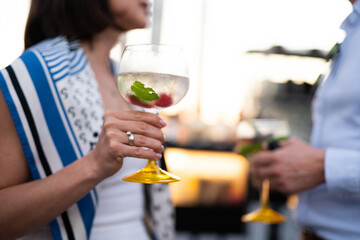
x=294 y=167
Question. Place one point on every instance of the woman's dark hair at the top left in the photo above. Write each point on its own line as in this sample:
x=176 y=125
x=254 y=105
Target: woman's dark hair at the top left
x=79 y=19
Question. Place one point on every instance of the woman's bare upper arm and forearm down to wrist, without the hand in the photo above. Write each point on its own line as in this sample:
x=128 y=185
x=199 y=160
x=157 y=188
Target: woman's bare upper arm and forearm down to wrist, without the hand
x=26 y=205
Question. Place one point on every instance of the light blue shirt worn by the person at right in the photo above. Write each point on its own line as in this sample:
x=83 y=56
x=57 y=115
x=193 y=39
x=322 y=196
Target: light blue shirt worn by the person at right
x=332 y=209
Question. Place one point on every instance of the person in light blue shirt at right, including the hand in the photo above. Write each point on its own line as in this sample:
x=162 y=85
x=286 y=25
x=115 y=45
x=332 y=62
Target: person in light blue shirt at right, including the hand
x=326 y=172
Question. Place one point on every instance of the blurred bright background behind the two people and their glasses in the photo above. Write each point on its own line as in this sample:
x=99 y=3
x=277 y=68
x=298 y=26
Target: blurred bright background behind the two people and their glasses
x=248 y=59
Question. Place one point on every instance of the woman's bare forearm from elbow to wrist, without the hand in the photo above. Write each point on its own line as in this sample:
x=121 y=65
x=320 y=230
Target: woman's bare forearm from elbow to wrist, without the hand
x=27 y=206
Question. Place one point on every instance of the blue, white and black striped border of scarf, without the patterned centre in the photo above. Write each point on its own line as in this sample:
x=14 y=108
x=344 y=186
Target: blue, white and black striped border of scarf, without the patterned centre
x=45 y=131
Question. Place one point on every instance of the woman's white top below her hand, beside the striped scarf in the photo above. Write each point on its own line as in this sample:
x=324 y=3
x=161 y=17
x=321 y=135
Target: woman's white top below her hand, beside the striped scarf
x=121 y=206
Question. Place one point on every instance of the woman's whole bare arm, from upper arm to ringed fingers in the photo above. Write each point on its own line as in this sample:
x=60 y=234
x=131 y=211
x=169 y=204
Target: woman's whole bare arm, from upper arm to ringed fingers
x=27 y=205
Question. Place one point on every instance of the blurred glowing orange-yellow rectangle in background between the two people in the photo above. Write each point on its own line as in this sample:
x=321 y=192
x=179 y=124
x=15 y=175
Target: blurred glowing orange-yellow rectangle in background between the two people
x=207 y=177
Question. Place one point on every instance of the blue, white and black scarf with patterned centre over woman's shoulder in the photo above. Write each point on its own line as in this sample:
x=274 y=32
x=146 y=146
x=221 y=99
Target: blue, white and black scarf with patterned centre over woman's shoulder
x=47 y=91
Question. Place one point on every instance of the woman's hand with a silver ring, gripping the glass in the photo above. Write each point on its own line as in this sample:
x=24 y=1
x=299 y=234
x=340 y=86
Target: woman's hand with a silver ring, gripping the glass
x=113 y=144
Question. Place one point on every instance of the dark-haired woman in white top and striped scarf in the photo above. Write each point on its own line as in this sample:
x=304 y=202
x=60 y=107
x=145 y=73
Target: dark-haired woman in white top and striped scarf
x=57 y=100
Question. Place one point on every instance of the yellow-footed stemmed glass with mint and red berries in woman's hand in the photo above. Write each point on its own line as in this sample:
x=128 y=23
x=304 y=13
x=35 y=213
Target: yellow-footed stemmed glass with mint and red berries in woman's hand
x=153 y=77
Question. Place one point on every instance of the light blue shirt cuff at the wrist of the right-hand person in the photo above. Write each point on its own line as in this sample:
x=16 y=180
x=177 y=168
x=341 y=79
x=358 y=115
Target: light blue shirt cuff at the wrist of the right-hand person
x=342 y=173
